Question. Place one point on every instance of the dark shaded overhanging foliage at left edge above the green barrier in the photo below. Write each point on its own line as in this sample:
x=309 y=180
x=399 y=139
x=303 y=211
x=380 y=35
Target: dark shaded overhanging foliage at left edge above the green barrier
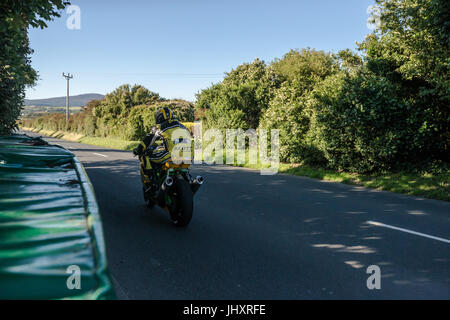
x=16 y=72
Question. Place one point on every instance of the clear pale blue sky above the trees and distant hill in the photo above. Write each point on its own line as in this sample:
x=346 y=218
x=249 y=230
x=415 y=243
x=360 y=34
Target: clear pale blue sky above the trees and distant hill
x=178 y=47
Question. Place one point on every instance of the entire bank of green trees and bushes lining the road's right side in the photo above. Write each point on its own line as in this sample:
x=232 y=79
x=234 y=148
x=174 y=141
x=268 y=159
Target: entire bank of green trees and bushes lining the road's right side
x=386 y=107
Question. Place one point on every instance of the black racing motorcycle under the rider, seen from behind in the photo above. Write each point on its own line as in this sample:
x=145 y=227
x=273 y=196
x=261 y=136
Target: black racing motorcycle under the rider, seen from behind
x=173 y=191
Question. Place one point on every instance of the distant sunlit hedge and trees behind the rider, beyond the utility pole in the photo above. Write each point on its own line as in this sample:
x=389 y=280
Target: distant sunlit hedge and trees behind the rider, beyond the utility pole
x=126 y=113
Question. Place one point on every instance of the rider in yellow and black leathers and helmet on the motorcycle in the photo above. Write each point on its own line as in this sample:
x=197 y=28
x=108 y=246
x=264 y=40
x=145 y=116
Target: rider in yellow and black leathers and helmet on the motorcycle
x=152 y=154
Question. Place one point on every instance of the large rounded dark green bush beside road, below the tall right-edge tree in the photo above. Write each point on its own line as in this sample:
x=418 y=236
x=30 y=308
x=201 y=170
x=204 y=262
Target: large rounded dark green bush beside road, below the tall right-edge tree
x=361 y=124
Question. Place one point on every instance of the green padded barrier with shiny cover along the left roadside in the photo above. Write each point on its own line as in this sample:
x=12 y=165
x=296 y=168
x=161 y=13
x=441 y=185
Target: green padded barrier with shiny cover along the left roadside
x=49 y=220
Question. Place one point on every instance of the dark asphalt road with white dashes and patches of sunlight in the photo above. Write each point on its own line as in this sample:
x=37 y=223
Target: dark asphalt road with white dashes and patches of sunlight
x=268 y=237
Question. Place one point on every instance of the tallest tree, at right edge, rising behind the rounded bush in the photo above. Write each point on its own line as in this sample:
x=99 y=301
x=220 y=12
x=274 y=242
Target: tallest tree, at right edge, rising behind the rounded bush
x=411 y=50
